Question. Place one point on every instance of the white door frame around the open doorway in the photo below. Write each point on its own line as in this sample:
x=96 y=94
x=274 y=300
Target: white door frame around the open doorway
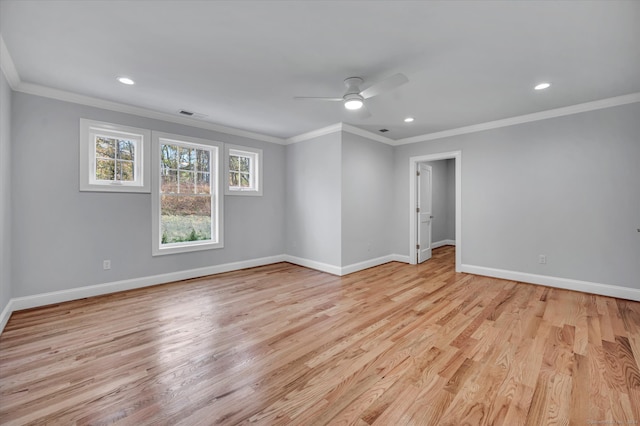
x=413 y=218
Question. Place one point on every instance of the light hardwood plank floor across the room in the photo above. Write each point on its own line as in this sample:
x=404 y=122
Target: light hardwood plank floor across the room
x=392 y=345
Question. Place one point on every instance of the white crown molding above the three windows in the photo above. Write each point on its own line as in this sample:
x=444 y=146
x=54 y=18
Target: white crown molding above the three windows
x=48 y=92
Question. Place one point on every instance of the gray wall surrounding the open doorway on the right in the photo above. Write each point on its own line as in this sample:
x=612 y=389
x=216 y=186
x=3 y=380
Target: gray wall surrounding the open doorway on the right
x=567 y=187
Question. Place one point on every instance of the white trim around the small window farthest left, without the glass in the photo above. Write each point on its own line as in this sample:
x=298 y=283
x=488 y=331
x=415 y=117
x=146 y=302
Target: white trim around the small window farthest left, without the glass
x=142 y=183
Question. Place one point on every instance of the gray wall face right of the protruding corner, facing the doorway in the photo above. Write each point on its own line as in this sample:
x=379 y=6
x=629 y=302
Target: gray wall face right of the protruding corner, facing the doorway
x=367 y=185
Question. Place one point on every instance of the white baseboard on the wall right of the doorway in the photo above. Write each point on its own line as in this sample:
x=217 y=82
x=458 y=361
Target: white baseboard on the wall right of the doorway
x=556 y=282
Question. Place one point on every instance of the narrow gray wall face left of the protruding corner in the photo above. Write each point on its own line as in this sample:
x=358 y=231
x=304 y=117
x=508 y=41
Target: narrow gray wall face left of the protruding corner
x=313 y=180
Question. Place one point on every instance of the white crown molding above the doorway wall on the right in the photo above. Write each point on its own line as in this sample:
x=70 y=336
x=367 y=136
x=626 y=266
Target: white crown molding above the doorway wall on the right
x=527 y=118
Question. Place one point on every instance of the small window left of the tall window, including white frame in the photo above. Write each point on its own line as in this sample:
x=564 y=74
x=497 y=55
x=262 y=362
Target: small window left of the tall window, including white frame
x=113 y=158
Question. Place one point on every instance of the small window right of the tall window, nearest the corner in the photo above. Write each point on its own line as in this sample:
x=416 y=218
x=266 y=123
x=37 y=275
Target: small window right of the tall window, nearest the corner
x=243 y=171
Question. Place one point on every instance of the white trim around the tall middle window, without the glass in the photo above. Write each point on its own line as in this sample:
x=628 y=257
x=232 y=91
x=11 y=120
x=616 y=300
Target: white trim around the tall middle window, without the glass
x=217 y=198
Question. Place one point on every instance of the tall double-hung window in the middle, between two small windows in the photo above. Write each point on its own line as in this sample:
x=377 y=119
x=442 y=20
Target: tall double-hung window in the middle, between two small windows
x=187 y=208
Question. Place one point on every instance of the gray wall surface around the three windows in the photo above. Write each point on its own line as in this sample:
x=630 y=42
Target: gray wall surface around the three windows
x=61 y=235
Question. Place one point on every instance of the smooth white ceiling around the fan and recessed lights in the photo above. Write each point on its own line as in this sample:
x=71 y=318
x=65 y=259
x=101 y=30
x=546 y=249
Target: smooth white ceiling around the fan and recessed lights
x=241 y=62
